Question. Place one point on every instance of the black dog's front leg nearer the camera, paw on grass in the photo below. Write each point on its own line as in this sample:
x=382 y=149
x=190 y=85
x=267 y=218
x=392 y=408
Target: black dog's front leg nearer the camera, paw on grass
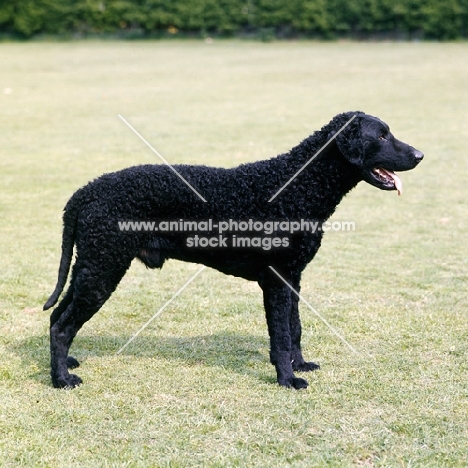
x=277 y=302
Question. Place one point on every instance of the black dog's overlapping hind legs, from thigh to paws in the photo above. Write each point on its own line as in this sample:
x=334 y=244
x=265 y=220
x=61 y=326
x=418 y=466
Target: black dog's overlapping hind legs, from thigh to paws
x=88 y=291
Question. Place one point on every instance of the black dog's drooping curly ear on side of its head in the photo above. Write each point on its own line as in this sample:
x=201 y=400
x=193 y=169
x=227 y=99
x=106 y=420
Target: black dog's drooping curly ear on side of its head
x=348 y=137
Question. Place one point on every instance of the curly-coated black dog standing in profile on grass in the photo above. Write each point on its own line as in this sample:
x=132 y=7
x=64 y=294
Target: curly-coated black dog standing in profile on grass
x=357 y=147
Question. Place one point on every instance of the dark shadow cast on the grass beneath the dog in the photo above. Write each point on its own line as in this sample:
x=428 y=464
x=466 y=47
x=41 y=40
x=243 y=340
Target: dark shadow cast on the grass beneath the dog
x=243 y=354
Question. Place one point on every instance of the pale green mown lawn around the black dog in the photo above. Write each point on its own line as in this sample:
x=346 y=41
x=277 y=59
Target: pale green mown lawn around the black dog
x=196 y=388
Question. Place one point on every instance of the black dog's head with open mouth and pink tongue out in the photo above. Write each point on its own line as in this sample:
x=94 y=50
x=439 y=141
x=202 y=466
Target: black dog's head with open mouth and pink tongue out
x=366 y=142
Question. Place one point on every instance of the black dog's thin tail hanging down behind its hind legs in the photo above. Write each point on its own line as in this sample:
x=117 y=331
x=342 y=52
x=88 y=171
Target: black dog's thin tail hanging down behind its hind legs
x=70 y=216
